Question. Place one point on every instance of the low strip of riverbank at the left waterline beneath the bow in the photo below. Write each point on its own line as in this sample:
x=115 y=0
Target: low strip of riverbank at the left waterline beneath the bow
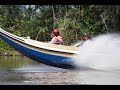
x=10 y=53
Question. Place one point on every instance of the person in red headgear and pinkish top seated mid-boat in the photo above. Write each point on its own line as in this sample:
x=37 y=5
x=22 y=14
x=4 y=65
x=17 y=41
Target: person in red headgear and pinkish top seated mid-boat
x=56 y=38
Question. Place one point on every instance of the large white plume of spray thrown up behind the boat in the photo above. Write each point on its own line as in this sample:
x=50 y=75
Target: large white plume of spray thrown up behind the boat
x=101 y=52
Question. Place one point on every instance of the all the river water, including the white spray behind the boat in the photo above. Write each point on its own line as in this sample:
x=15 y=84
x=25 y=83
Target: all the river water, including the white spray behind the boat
x=98 y=58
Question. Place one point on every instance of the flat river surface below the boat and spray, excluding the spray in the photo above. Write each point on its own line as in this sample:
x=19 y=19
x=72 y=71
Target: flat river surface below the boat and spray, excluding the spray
x=20 y=70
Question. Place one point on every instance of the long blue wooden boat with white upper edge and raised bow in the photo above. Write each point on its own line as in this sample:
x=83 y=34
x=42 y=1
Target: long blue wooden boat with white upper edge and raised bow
x=54 y=55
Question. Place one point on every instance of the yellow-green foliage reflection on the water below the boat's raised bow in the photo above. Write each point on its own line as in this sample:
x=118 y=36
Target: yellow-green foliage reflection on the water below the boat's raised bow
x=10 y=62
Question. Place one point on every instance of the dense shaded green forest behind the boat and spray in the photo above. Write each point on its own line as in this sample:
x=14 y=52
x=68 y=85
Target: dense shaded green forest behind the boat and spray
x=37 y=21
